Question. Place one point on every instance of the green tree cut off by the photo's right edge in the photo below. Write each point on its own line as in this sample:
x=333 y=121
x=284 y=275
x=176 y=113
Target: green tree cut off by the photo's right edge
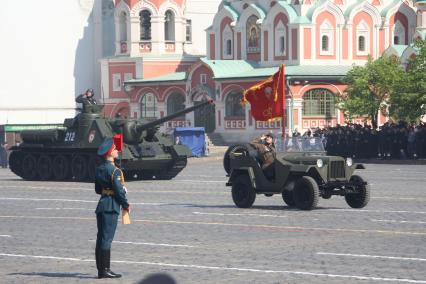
x=409 y=102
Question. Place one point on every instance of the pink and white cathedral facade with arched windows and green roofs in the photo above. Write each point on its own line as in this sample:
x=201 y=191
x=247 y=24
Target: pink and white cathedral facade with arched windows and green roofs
x=158 y=69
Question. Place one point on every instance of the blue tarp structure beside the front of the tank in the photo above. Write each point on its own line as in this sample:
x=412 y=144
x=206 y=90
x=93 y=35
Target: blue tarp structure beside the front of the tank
x=192 y=137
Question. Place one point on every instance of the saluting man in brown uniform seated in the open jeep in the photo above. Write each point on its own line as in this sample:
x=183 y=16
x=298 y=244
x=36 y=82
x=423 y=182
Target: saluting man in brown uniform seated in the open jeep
x=266 y=148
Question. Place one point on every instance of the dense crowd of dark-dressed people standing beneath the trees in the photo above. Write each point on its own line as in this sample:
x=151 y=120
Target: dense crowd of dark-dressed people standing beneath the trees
x=391 y=141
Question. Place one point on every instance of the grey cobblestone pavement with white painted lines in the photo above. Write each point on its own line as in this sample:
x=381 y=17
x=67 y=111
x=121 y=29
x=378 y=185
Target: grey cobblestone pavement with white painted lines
x=190 y=229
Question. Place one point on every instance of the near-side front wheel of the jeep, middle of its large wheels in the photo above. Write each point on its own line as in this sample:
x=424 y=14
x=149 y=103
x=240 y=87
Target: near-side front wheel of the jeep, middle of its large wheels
x=306 y=193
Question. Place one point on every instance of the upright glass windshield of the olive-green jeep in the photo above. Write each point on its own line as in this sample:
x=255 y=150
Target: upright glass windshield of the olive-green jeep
x=299 y=144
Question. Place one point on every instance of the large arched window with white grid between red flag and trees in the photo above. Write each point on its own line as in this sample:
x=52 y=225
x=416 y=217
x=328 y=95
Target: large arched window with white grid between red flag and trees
x=319 y=102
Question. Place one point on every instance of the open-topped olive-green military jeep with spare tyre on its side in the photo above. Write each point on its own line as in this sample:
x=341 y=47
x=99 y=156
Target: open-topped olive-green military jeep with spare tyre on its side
x=303 y=174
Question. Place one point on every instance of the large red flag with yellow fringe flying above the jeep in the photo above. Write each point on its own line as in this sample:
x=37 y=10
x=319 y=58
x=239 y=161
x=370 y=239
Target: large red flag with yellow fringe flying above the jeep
x=267 y=98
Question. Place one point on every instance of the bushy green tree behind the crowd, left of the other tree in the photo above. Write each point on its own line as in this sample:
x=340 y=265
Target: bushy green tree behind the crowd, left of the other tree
x=370 y=87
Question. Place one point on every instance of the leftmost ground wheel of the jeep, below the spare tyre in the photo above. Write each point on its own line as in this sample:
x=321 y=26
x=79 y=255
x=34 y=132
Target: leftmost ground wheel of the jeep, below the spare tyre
x=243 y=192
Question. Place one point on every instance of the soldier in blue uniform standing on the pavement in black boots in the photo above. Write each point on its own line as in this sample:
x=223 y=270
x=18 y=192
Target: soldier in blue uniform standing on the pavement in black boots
x=109 y=183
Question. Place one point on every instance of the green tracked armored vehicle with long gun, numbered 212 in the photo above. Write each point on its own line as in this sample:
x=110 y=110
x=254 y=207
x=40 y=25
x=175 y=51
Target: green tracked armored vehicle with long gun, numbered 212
x=69 y=153
